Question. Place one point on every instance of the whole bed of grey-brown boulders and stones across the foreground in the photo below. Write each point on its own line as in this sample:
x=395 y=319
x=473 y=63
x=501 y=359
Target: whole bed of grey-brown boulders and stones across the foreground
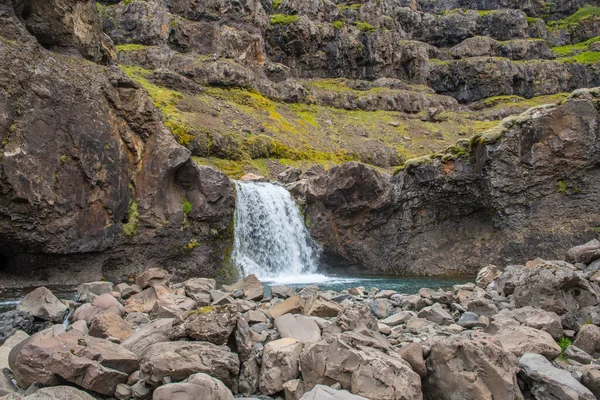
x=530 y=331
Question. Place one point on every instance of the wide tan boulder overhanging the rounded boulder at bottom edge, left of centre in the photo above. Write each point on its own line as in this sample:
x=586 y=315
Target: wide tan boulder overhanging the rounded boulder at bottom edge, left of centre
x=179 y=360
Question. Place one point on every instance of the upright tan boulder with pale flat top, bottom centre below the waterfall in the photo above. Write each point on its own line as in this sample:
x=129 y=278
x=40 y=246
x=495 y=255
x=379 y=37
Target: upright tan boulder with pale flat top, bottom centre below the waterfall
x=280 y=364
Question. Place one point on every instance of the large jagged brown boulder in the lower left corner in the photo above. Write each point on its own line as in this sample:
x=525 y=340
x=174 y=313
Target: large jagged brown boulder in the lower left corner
x=91 y=363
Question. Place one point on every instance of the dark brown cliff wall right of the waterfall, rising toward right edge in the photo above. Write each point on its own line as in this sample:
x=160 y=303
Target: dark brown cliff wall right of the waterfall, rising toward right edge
x=529 y=186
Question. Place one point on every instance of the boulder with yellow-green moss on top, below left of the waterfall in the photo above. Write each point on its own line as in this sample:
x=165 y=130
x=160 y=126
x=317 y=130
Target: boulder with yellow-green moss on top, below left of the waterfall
x=212 y=324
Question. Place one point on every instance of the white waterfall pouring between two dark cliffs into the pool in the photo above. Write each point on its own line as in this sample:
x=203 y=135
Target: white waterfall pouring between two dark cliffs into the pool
x=271 y=240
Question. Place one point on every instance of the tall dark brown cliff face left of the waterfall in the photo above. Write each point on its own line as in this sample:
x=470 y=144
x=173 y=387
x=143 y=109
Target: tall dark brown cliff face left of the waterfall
x=92 y=184
